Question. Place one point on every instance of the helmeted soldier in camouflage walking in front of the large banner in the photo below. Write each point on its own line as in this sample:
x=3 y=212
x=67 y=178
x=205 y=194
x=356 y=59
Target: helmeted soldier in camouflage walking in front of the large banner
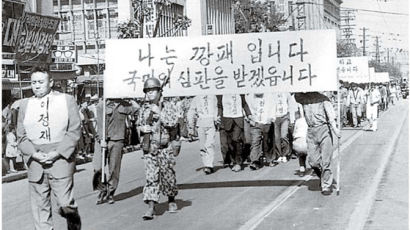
x=160 y=137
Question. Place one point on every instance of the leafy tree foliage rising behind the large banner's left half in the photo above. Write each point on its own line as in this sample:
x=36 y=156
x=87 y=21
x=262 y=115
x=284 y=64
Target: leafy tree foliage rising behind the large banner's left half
x=143 y=11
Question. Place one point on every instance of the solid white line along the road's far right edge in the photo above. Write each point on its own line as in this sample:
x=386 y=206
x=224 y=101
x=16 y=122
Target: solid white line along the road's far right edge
x=359 y=216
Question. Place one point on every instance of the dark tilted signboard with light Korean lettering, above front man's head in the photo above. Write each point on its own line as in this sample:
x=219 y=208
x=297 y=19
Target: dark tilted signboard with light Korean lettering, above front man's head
x=35 y=38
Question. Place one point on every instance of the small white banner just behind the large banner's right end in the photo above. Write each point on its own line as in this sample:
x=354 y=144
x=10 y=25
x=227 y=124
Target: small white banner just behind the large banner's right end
x=353 y=69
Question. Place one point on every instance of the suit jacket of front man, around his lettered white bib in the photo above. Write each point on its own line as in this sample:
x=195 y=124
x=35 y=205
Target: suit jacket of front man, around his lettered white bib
x=63 y=166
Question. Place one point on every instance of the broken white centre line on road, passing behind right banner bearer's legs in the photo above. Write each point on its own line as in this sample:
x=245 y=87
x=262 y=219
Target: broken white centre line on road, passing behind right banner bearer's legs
x=258 y=218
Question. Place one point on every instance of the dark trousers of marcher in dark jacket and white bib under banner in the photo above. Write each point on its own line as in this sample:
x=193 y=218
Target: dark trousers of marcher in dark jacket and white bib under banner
x=232 y=144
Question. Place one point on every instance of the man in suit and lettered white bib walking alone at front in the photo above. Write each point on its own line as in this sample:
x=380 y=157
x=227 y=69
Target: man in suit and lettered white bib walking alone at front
x=48 y=130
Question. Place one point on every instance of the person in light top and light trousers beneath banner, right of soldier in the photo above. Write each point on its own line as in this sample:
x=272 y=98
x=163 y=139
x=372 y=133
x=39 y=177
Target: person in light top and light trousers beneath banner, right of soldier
x=204 y=109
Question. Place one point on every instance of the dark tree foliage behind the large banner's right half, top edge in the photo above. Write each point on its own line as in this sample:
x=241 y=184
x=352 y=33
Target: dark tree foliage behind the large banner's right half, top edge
x=255 y=16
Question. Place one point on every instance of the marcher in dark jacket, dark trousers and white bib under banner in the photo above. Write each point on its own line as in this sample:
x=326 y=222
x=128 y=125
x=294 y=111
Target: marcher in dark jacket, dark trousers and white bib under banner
x=230 y=109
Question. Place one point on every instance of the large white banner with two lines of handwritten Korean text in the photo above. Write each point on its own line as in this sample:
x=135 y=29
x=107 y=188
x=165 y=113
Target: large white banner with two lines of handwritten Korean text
x=223 y=64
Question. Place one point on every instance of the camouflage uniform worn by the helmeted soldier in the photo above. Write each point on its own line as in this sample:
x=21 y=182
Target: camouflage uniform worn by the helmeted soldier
x=160 y=160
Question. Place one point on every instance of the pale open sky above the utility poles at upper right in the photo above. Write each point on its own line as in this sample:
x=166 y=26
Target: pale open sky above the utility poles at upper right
x=393 y=30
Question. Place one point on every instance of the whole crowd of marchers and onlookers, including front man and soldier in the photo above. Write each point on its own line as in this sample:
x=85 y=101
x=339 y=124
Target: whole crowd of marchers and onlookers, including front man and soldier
x=255 y=130
